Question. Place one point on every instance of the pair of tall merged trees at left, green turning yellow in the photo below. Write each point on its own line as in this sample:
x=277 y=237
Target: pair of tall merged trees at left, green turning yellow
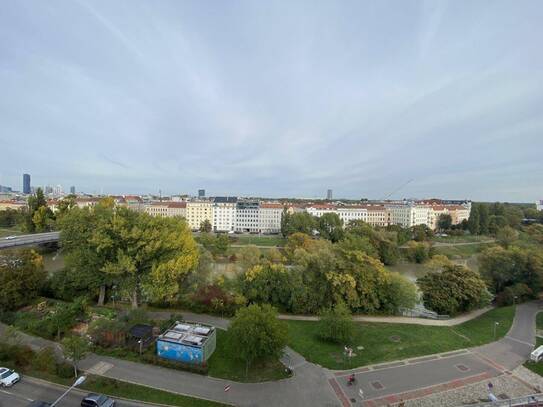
x=141 y=254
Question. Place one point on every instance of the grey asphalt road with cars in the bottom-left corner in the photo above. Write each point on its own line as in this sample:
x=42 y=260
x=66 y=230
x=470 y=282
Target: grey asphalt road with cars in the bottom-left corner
x=29 y=389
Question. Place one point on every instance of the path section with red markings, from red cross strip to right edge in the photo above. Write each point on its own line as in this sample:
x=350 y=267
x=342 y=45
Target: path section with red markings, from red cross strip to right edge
x=435 y=373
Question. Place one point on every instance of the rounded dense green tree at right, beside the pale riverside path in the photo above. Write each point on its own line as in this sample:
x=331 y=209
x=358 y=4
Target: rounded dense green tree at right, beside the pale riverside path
x=455 y=289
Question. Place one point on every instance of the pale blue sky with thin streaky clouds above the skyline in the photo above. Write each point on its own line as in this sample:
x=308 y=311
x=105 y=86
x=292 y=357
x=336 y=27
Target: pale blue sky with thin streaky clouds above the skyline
x=371 y=99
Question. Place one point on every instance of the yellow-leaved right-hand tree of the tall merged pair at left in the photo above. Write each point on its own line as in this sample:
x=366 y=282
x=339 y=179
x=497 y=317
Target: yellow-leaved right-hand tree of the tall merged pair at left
x=152 y=254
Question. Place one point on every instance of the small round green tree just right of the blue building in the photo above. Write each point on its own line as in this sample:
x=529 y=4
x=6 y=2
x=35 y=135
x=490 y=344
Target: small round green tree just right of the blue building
x=257 y=335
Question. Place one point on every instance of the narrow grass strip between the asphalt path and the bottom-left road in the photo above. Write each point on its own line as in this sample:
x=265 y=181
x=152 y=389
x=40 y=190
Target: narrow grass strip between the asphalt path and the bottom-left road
x=116 y=388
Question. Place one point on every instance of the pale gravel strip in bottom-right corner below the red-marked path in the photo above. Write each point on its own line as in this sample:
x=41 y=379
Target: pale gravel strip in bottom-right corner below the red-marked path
x=505 y=386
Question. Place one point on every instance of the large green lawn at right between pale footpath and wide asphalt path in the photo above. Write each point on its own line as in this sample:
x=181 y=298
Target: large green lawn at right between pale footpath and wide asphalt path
x=385 y=342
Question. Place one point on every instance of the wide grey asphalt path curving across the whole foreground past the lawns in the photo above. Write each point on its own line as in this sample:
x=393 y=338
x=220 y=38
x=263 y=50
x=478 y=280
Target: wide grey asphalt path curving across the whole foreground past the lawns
x=316 y=386
